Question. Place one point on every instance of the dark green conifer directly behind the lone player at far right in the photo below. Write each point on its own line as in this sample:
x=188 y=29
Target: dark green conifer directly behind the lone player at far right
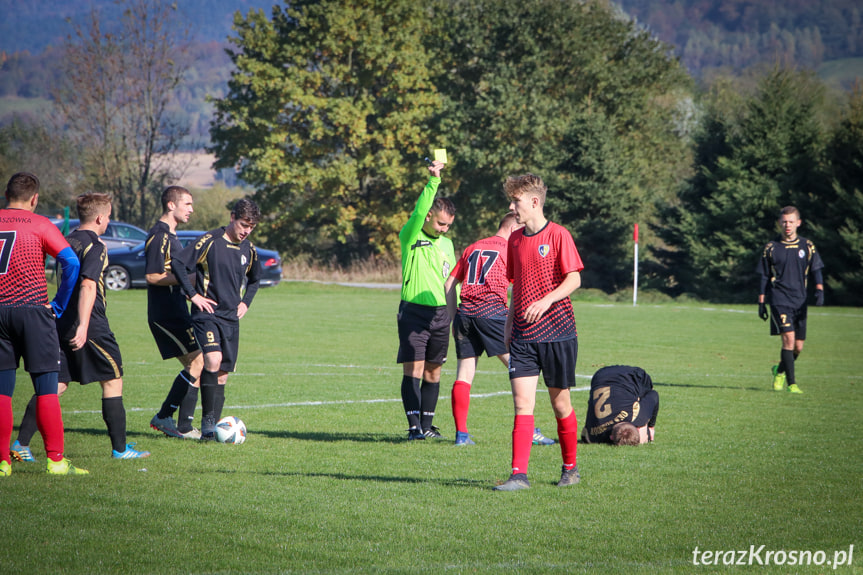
x=747 y=167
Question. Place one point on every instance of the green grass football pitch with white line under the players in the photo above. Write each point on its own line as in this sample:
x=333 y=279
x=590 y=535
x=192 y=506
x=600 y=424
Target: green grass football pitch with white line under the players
x=326 y=482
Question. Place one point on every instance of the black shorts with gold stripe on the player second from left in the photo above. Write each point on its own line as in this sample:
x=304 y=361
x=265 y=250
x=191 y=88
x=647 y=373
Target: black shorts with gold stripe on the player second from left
x=98 y=360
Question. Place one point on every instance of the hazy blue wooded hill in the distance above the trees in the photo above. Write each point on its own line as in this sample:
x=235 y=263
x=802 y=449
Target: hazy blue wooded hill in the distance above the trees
x=708 y=35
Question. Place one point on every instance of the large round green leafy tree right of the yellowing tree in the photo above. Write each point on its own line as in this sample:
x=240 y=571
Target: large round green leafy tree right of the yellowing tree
x=553 y=87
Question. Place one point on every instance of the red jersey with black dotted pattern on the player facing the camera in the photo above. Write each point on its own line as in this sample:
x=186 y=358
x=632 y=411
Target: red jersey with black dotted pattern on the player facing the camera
x=537 y=264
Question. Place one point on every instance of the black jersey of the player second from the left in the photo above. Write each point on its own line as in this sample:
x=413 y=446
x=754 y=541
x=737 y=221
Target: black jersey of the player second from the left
x=93 y=255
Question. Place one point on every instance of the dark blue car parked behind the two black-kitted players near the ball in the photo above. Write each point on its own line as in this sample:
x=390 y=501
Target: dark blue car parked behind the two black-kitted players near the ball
x=126 y=264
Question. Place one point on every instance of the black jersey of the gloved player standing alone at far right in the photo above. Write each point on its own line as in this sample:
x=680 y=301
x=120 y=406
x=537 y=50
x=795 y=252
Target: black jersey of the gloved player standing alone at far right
x=785 y=267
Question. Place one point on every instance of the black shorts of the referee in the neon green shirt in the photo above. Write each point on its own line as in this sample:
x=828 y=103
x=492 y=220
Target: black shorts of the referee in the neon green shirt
x=423 y=333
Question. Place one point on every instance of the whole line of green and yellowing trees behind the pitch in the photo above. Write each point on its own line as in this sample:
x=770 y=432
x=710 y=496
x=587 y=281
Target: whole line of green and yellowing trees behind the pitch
x=331 y=107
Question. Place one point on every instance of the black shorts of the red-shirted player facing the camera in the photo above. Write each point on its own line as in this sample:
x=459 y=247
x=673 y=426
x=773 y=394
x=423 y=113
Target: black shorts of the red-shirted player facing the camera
x=555 y=360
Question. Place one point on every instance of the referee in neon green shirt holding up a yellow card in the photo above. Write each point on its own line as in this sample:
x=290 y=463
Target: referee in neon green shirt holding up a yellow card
x=423 y=321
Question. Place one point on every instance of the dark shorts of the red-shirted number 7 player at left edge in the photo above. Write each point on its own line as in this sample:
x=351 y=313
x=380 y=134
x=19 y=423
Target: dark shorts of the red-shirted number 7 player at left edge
x=29 y=332
